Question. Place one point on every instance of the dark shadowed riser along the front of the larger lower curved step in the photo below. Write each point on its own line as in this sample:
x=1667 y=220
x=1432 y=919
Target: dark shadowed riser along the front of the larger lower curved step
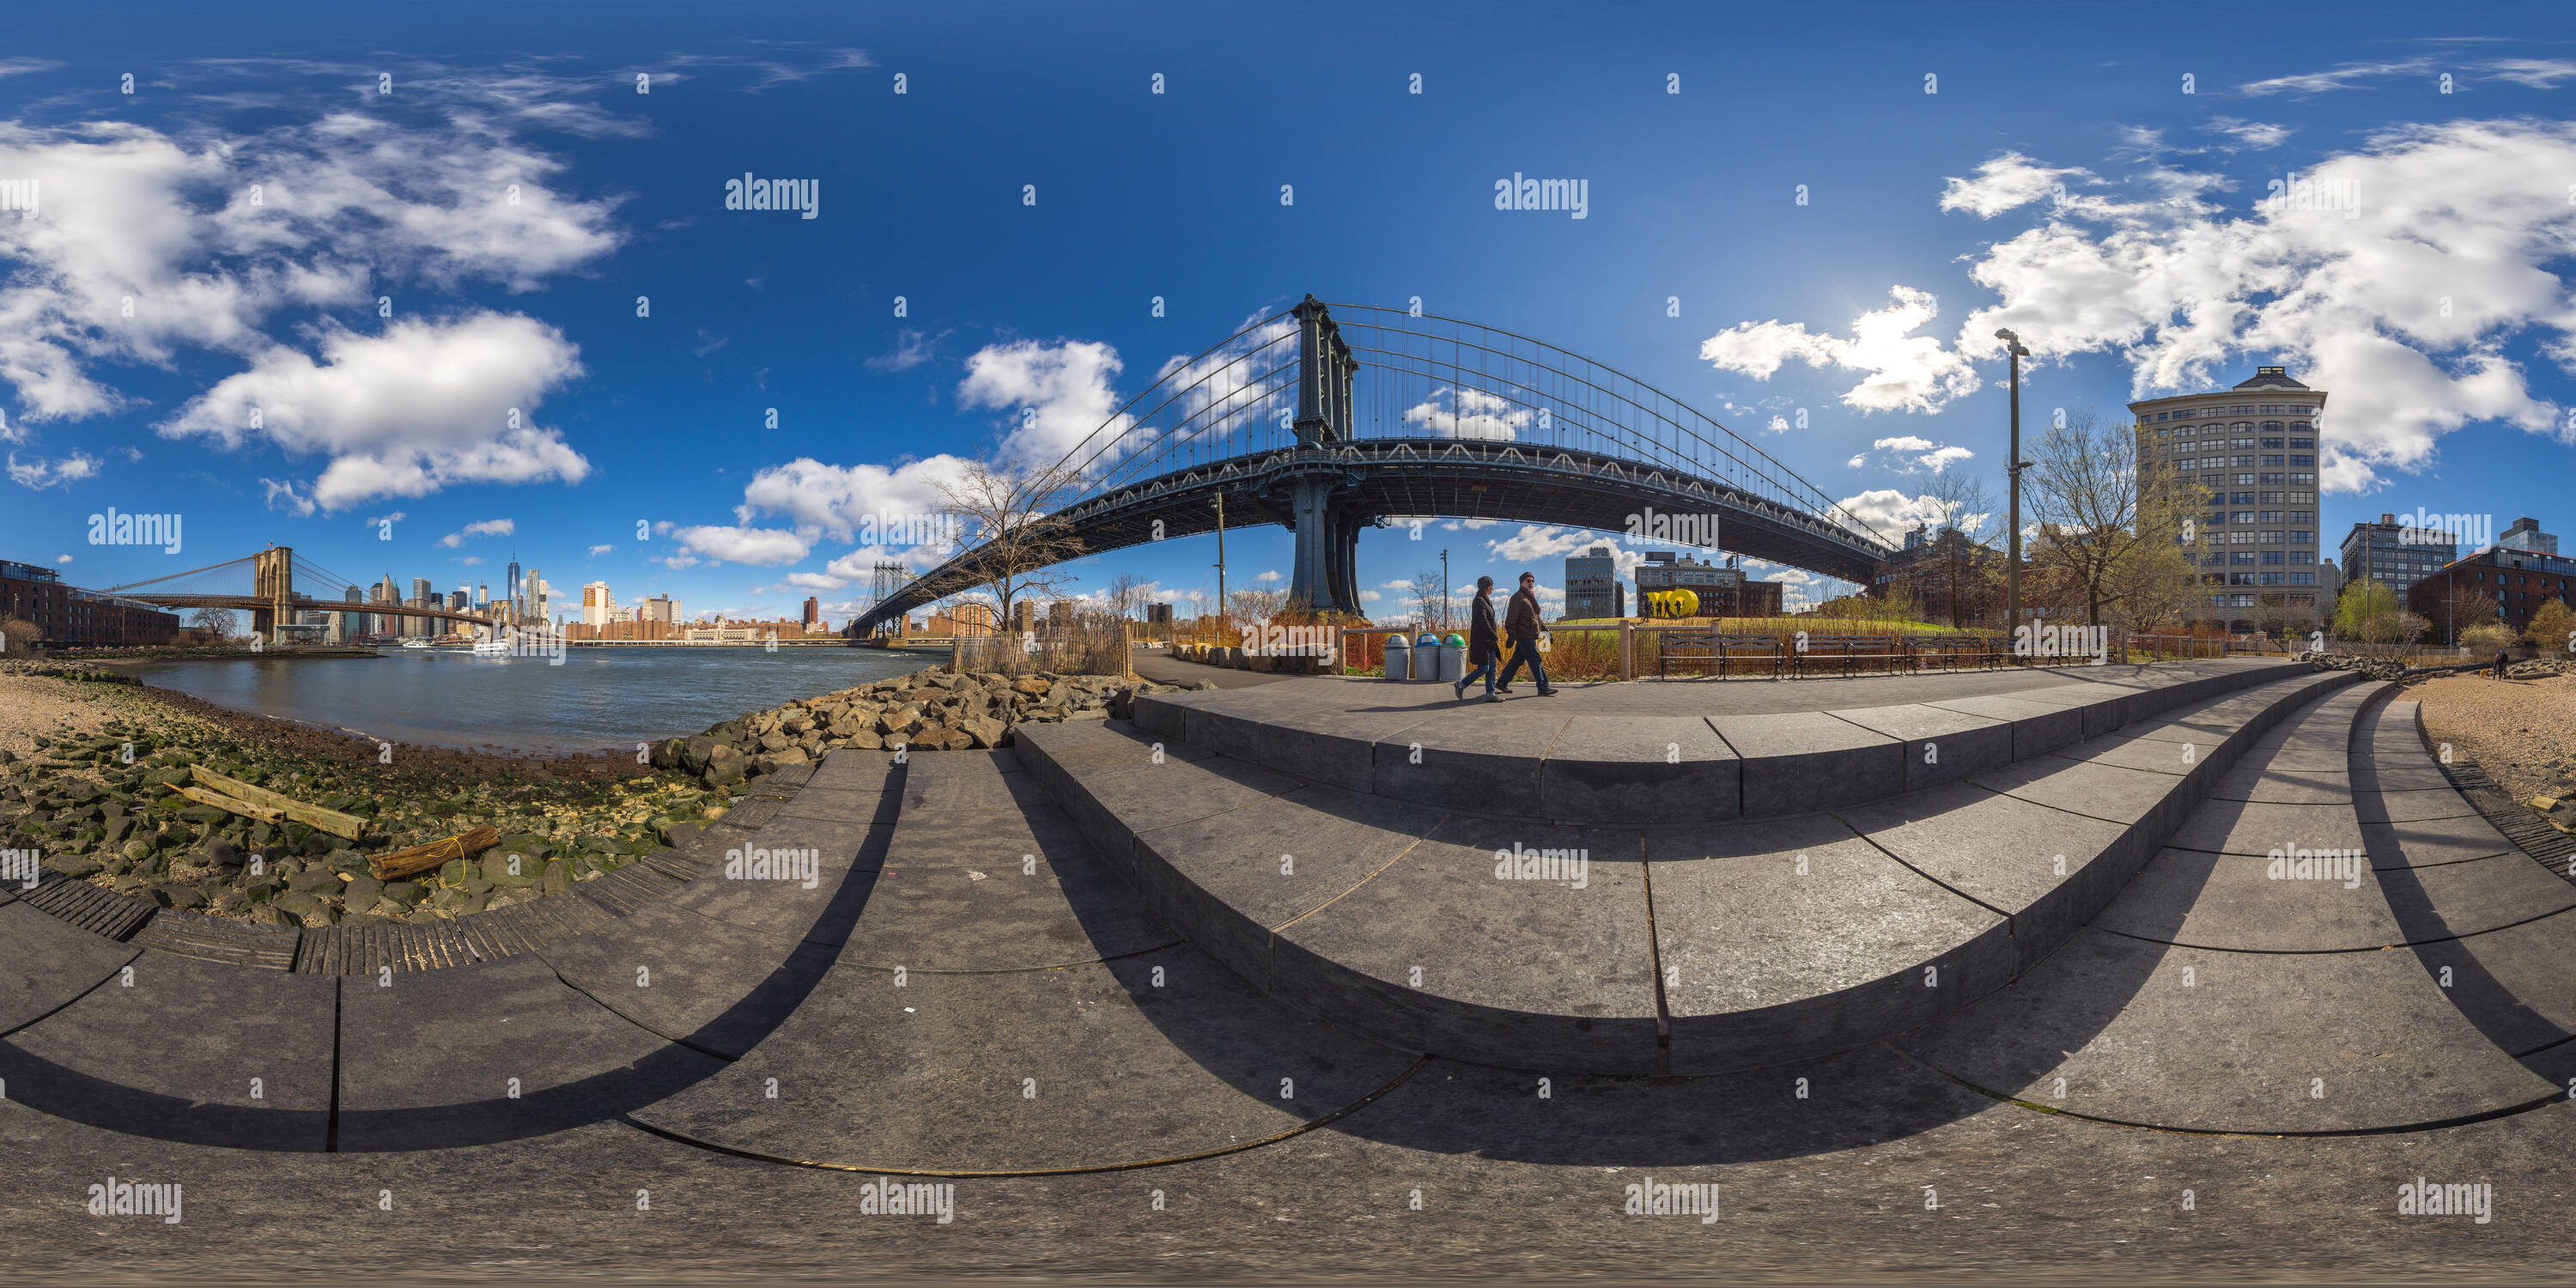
x=2026 y=939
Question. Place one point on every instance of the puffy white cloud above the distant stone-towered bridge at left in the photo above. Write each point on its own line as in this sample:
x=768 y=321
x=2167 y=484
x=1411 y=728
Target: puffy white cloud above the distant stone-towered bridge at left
x=408 y=411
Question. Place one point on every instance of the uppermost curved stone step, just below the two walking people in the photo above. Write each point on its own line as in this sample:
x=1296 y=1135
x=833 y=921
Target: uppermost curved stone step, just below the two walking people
x=1668 y=753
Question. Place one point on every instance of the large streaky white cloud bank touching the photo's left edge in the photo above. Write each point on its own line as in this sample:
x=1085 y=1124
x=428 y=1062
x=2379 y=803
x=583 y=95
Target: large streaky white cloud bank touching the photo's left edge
x=213 y=236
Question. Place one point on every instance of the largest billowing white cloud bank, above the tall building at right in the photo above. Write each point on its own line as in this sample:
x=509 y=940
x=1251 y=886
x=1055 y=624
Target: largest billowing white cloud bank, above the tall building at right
x=2397 y=303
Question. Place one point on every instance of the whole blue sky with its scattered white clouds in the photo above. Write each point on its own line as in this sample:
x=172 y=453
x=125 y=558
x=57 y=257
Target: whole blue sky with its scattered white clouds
x=2060 y=182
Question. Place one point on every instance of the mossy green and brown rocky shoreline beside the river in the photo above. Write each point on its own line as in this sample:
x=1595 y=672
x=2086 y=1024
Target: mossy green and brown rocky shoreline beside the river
x=99 y=797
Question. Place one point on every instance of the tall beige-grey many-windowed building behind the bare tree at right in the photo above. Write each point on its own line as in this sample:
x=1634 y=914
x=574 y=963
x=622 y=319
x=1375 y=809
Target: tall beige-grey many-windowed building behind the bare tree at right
x=2245 y=465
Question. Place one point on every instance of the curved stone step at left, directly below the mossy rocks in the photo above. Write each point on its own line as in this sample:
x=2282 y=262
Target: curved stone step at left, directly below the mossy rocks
x=370 y=1047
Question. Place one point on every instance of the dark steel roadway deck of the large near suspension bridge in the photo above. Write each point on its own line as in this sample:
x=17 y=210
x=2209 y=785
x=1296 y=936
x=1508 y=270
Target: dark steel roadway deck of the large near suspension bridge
x=1588 y=491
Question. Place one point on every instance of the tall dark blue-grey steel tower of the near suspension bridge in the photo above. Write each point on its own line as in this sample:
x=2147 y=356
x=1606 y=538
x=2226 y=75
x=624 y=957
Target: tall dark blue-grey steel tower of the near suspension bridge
x=1328 y=532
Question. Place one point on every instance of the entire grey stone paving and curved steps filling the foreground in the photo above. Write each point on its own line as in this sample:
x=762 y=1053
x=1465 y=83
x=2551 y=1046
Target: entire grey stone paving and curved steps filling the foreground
x=2049 y=972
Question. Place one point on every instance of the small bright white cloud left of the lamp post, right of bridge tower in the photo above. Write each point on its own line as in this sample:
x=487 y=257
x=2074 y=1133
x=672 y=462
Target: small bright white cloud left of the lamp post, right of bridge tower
x=1905 y=372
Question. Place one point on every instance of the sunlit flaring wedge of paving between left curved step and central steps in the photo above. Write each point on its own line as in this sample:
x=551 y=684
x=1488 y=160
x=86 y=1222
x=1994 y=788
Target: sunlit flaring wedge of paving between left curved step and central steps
x=1009 y=1003
